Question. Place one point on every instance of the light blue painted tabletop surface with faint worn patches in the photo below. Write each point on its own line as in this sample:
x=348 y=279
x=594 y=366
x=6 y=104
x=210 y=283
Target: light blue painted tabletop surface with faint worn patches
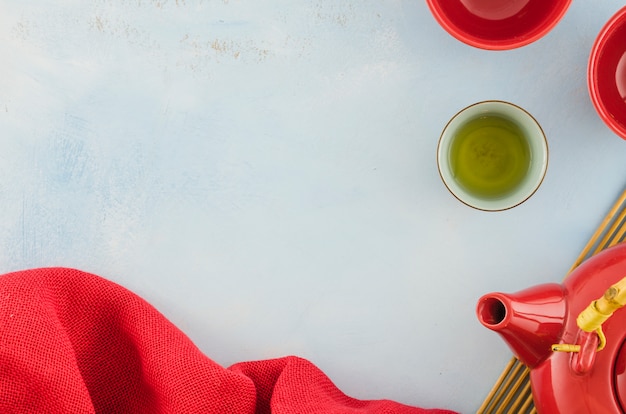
x=264 y=173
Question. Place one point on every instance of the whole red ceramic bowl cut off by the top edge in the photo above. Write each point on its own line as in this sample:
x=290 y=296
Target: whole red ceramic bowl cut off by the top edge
x=498 y=24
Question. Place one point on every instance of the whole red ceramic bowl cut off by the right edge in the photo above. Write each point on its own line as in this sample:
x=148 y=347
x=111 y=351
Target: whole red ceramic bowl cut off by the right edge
x=606 y=73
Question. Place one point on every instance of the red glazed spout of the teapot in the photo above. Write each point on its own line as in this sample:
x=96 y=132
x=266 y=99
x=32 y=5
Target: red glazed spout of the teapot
x=529 y=321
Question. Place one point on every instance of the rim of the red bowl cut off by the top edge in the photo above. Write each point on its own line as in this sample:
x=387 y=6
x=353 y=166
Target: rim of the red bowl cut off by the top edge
x=481 y=43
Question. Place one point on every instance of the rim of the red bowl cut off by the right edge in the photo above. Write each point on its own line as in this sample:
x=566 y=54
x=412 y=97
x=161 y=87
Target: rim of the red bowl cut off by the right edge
x=592 y=69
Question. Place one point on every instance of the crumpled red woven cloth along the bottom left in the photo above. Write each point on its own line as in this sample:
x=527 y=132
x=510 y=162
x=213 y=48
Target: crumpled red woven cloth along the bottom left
x=73 y=342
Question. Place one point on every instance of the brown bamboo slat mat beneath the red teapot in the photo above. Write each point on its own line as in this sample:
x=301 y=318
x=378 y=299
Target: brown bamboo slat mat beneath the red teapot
x=511 y=392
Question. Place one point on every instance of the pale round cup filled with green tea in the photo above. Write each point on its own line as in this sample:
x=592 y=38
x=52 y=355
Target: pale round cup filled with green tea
x=492 y=155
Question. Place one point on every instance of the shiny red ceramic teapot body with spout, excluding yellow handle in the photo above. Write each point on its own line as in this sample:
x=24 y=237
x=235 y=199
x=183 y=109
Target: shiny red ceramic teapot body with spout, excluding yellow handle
x=533 y=320
